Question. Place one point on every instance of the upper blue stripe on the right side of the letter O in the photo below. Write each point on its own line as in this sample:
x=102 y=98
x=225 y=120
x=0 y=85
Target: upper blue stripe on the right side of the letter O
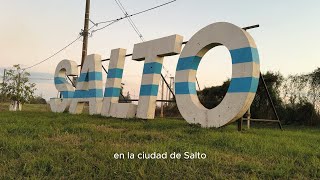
x=243 y=55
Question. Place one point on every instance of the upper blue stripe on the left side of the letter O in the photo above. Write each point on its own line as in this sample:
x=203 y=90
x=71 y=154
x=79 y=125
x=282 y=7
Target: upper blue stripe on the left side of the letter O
x=188 y=63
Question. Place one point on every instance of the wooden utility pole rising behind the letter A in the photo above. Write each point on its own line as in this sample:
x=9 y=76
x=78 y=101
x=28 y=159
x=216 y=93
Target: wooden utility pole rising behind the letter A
x=85 y=32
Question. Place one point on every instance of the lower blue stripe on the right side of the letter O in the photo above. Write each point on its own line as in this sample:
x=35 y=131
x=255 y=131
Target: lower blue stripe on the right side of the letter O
x=243 y=84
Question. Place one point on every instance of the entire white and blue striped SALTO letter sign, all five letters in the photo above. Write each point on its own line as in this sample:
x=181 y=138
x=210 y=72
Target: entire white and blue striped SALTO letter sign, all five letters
x=242 y=89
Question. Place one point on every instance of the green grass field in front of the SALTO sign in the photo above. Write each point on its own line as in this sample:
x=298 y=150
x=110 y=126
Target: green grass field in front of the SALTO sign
x=40 y=144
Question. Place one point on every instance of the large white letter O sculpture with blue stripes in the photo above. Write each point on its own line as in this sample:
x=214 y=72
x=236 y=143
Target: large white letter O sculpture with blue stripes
x=244 y=82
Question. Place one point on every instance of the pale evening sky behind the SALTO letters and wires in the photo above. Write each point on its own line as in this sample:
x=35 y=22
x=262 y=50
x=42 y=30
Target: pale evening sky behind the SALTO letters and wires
x=287 y=39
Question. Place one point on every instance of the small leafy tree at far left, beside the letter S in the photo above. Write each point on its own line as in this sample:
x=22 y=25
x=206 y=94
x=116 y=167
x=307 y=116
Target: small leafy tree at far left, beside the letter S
x=17 y=87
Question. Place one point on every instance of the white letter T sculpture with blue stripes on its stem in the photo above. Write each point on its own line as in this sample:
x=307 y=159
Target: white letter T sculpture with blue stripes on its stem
x=153 y=53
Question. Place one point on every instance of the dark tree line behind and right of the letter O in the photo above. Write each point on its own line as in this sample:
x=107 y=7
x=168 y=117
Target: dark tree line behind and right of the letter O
x=296 y=97
